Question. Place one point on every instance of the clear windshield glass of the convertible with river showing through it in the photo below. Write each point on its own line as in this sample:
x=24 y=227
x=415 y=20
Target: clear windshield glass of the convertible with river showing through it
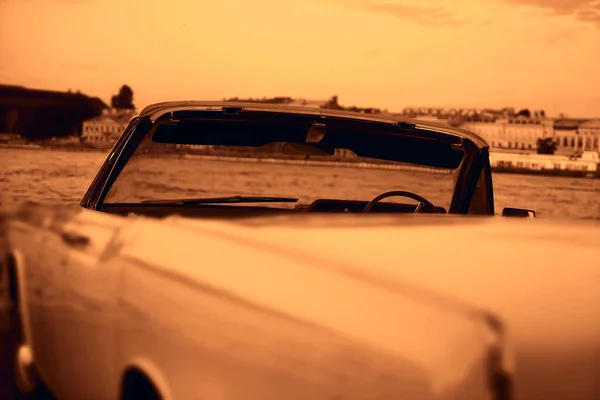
x=159 y=171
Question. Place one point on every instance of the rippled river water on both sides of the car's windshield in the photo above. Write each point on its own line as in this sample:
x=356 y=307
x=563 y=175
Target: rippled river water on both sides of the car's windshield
x=53 y=176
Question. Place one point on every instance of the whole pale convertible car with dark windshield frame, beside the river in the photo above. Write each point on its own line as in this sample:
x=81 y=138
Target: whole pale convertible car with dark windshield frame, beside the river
x=232 y=251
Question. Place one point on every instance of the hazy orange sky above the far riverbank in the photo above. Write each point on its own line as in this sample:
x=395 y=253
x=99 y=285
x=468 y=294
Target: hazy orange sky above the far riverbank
x=382 y=53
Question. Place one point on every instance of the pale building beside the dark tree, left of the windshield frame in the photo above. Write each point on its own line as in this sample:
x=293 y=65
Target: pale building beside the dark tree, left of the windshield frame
x=104 y=130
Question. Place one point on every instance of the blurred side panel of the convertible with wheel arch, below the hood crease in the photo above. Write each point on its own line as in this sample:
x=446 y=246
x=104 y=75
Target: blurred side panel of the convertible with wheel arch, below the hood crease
x=230 y=319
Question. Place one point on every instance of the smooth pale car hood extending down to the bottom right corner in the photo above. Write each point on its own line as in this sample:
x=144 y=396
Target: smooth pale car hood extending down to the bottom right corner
x=541 y=276
